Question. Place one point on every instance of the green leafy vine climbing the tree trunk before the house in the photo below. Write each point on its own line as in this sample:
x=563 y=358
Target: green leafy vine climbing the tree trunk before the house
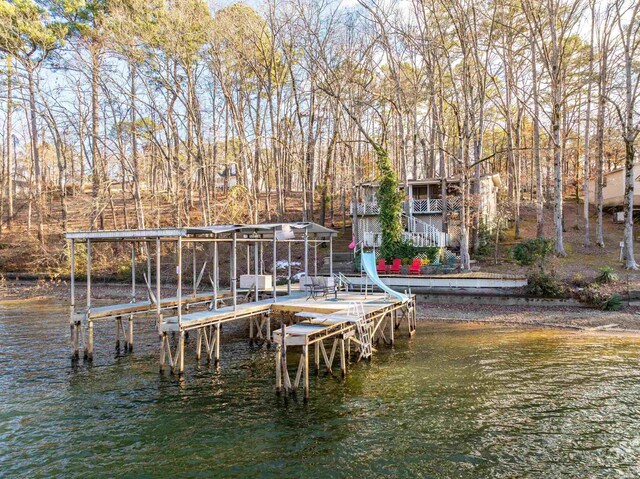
x=390 y=204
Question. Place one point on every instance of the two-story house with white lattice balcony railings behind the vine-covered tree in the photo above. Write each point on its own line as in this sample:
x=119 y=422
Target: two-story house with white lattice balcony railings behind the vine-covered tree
x=430 y=218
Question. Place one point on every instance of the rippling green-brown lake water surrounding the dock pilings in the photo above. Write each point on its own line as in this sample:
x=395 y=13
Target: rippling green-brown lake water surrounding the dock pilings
x=455 y=401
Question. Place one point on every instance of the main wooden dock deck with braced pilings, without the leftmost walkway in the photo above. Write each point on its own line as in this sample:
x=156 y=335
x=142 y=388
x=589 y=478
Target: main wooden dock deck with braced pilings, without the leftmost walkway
x=352 y=323
